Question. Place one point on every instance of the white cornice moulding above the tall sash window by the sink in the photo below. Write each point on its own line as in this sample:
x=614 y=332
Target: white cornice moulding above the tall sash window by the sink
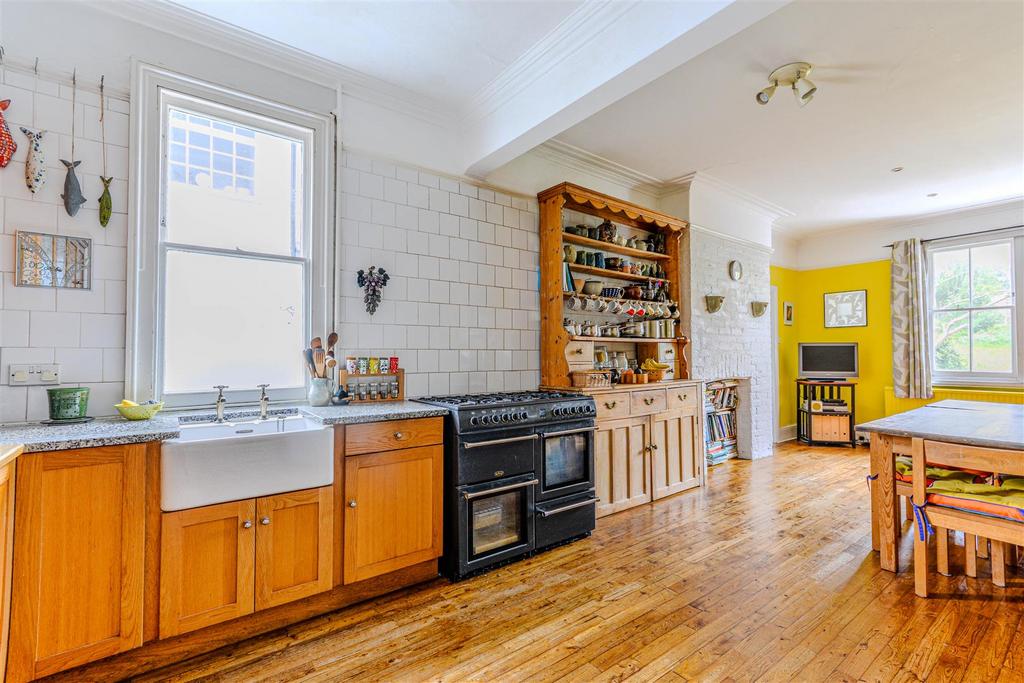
x=190 y=25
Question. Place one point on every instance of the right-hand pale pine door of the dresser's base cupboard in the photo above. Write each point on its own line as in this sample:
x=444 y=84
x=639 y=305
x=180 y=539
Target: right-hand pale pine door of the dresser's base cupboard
x=675 y=453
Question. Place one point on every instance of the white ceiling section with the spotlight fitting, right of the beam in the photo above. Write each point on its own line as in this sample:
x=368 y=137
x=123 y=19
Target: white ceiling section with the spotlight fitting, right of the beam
x=935 y=88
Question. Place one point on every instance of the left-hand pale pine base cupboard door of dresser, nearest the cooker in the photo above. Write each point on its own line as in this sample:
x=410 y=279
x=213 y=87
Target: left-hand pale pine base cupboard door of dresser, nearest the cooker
x=622 y=464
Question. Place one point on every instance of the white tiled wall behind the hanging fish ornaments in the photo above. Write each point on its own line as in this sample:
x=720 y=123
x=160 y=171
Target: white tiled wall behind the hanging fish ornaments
x=83 y=331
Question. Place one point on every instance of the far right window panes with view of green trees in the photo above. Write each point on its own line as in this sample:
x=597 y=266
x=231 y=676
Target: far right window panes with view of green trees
x=975 y=324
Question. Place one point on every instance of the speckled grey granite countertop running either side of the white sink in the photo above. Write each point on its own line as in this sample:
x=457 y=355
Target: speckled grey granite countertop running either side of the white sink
x=116 y=431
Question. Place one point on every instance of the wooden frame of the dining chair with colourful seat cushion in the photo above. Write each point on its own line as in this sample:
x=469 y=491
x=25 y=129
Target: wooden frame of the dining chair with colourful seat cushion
x=1000 y=532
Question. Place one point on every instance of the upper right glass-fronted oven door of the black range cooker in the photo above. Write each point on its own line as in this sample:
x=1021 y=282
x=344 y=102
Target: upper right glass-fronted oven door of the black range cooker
x=567 y=461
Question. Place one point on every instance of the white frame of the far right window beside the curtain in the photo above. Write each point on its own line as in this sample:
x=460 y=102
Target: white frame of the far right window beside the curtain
x=984 y=379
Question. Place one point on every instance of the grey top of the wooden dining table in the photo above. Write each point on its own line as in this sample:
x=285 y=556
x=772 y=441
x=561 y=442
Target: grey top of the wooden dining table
x=968 y=422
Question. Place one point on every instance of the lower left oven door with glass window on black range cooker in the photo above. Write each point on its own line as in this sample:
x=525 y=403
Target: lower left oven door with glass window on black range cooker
x=496 y=522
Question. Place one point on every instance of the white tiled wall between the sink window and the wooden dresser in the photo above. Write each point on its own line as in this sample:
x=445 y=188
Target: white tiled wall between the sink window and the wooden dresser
x=461 y=311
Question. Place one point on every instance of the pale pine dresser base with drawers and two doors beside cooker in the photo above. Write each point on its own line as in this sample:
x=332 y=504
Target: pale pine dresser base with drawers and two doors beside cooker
x=649 y=444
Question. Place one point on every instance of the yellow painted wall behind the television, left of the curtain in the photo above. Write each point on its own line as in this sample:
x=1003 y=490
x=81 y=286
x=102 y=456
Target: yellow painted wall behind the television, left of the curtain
x=806 y=289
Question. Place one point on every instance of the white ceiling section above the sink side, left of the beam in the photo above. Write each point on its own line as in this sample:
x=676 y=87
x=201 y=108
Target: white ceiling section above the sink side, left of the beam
x=446 y=50
